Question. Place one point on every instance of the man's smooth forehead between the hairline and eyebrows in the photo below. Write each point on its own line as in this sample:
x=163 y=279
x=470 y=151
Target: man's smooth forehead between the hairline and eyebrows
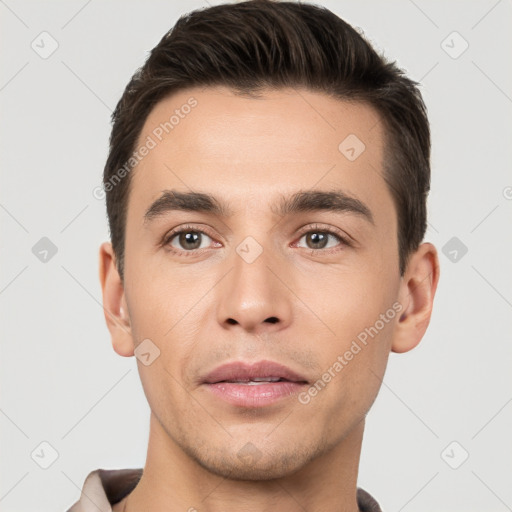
x=249 y=149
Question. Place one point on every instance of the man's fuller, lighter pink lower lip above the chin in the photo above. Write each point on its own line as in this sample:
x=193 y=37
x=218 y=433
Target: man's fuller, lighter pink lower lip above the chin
x=255 y=395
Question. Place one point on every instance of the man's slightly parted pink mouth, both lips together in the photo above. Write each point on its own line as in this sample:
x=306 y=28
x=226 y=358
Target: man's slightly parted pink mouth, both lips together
x=254 y=385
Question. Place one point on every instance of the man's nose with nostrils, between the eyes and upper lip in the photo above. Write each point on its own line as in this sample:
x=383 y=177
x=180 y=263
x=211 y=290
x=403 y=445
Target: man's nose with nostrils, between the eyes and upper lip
x=253 y=296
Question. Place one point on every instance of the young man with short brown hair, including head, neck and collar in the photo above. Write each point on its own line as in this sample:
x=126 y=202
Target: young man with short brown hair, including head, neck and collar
x=266 y=192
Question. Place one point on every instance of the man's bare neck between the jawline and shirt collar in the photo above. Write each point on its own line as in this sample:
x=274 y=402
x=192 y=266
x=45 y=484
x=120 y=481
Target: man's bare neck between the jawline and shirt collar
x=173 y=482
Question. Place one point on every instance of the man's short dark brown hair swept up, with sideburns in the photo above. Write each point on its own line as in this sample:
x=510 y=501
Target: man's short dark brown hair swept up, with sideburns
x=258 y=44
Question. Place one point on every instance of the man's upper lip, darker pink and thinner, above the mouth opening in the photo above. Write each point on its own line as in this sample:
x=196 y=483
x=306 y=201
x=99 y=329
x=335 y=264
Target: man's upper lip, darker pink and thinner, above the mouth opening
x=241 y=371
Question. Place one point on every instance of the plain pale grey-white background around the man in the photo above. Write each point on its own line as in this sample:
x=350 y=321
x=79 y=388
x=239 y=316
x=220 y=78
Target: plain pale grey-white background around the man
x=62 y=382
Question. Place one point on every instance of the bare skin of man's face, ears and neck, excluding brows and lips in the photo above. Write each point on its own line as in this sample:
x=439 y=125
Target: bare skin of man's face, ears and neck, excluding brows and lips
x=208 y=306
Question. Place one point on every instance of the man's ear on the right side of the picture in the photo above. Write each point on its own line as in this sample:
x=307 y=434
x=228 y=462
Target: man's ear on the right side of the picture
x=416 y=295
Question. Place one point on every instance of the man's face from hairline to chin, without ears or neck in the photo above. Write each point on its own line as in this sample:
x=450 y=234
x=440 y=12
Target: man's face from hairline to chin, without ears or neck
x=290 y=257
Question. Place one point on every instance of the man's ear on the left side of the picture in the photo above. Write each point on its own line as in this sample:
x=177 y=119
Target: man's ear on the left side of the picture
x=114 y=302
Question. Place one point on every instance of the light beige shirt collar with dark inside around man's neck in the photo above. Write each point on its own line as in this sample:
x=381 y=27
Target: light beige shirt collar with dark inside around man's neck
x=105 y=487
